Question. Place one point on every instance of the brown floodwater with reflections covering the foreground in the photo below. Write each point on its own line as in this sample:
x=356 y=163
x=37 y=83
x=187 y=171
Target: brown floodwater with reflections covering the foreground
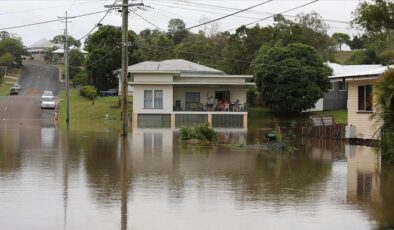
x=54 y=179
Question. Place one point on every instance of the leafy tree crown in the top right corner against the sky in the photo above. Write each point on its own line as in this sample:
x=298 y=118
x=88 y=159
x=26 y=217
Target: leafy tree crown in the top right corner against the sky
x=375 y=16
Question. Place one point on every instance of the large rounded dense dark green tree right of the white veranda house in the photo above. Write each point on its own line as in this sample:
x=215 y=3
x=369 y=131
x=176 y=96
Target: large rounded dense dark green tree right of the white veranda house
x=291 y=78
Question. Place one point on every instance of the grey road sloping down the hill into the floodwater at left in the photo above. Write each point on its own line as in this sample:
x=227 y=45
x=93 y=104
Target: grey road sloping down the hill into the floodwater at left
x=25 y=108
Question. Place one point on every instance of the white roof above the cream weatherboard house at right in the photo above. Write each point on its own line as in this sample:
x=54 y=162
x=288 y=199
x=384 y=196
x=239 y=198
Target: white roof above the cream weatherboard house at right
x=355 y=71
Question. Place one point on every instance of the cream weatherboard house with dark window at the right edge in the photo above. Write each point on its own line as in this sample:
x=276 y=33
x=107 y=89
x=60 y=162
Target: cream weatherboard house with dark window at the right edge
x=360 y=103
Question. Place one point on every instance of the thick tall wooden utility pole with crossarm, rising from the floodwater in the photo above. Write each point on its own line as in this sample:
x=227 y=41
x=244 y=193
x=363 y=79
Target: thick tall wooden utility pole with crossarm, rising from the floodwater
x=124 y=81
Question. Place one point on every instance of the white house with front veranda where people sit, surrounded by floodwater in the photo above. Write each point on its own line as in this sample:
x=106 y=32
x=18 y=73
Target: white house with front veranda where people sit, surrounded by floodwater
x=174 y=93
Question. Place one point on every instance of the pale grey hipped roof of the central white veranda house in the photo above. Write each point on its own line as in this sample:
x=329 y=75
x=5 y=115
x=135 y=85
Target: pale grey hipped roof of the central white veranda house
x=176 y=66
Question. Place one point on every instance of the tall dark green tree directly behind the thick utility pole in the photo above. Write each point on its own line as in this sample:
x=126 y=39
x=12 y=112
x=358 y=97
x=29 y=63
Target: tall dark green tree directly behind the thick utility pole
x=104 y=55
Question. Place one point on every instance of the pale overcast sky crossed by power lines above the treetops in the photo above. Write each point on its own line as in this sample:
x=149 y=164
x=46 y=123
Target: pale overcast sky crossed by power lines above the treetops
x=22 y=12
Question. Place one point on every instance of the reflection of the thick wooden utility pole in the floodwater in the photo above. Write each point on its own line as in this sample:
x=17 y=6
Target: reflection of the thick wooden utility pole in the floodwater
x=123 y=180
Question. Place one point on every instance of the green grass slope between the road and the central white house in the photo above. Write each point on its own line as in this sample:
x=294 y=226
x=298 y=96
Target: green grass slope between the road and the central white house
x=88 y=117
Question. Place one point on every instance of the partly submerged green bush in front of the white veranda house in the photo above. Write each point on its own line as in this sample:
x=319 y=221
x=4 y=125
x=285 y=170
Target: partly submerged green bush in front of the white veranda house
x=200 y=132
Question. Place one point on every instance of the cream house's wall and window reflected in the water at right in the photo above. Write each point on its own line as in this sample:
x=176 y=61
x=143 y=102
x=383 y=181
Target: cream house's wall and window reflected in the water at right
x=363 y=174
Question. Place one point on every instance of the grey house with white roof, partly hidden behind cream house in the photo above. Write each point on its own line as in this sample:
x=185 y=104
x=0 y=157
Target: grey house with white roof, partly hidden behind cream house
x=336 y=97
